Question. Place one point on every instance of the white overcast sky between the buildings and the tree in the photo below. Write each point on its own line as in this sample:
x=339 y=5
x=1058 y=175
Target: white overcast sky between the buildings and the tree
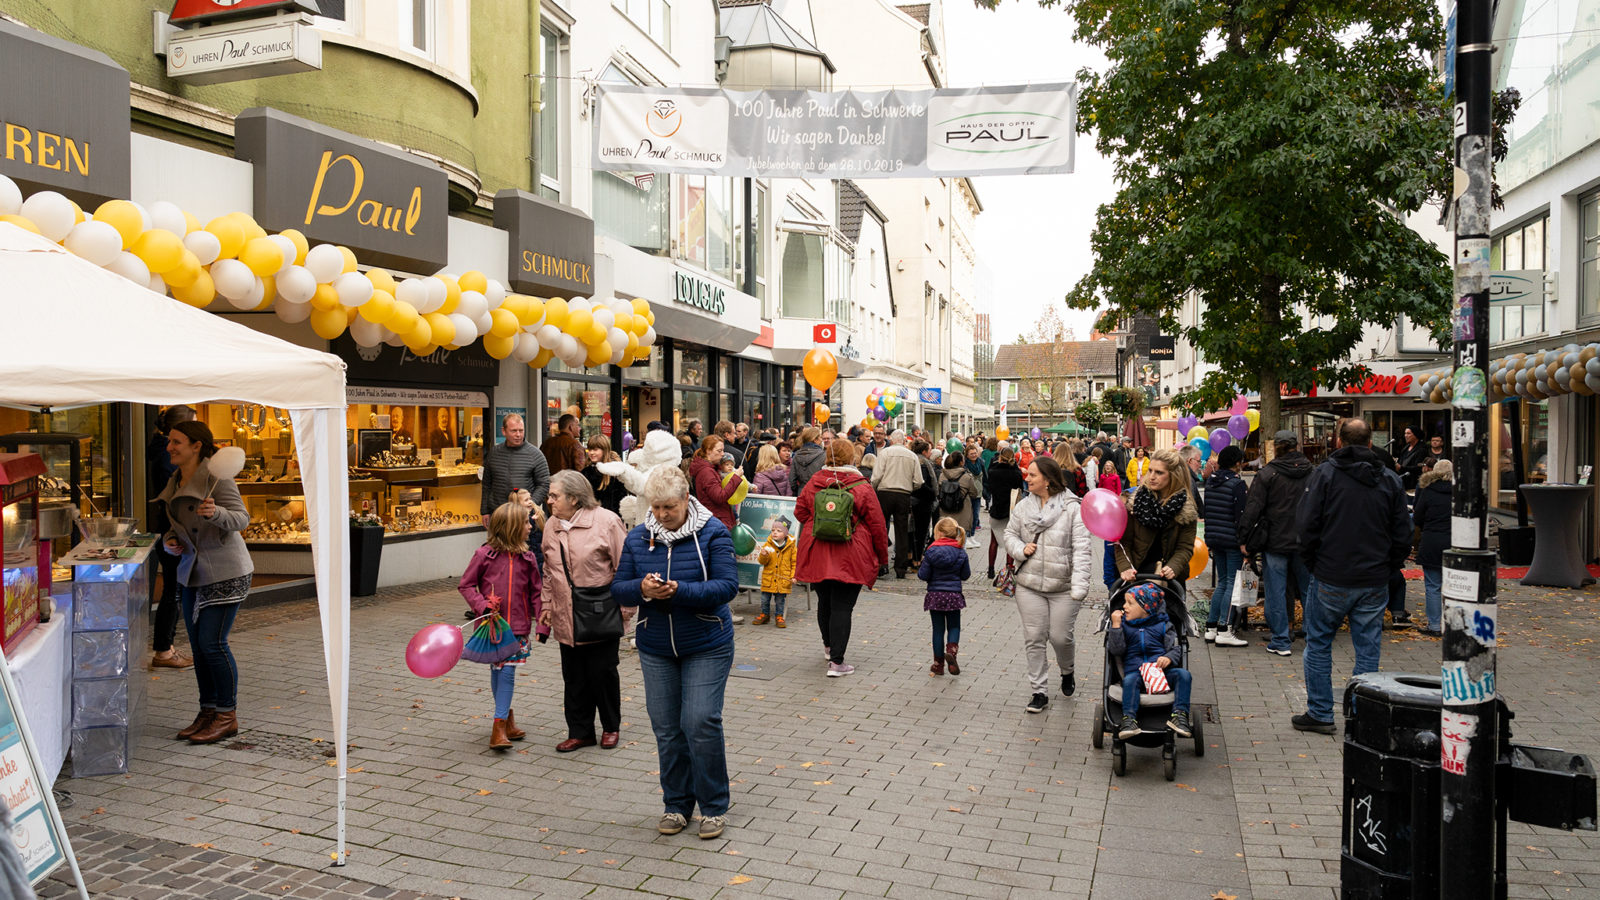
x=1034 y=231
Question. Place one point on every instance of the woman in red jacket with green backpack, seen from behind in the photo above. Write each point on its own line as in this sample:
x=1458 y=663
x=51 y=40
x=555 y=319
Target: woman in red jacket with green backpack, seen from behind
x=838 y=571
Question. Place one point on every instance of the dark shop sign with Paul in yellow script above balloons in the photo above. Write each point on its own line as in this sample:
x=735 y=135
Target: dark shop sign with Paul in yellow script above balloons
x=386 y=206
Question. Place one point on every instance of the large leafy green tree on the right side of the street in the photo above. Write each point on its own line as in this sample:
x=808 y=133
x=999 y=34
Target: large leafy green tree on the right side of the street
x=1268 y=155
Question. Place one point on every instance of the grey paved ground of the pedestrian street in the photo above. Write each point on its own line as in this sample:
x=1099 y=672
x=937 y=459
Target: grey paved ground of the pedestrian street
x=887 y=784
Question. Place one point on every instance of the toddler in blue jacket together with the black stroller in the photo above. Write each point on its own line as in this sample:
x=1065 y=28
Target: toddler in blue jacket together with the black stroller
x=1146 y=649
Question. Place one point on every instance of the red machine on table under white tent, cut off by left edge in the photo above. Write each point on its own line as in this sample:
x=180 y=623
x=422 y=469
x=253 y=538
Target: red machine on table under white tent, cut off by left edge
x=26 y=556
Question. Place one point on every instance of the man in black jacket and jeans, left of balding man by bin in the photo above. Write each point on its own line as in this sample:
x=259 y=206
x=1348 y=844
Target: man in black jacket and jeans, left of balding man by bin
x=1268 y=532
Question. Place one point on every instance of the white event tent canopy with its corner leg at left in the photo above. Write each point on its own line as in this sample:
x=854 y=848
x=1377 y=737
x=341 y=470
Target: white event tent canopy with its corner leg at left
x=118 y=342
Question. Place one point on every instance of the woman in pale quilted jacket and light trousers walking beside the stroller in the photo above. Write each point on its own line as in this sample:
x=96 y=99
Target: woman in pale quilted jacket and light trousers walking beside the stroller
x=1049 y=537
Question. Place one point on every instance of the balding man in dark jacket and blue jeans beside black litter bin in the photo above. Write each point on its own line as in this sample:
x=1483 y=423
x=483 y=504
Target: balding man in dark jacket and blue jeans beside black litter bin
x=1354 y=529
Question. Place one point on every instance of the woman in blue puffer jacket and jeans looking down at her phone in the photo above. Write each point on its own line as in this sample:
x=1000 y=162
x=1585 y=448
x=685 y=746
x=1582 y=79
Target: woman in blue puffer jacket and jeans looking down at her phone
x=679 y=569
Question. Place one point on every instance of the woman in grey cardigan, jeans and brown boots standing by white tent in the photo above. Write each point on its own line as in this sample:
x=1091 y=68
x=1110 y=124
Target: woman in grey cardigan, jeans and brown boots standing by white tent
x=214 y=574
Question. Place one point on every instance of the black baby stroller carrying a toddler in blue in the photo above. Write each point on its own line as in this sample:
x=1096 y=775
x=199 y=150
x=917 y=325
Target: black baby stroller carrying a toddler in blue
x=1154 y=709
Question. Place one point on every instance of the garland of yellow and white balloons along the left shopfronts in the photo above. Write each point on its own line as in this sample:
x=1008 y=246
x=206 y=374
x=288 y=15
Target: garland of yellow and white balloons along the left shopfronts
x=167 y=251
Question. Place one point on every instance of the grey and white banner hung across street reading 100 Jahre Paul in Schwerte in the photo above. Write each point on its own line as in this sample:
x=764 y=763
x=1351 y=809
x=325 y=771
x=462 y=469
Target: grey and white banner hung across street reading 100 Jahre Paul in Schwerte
x=902 y=134
